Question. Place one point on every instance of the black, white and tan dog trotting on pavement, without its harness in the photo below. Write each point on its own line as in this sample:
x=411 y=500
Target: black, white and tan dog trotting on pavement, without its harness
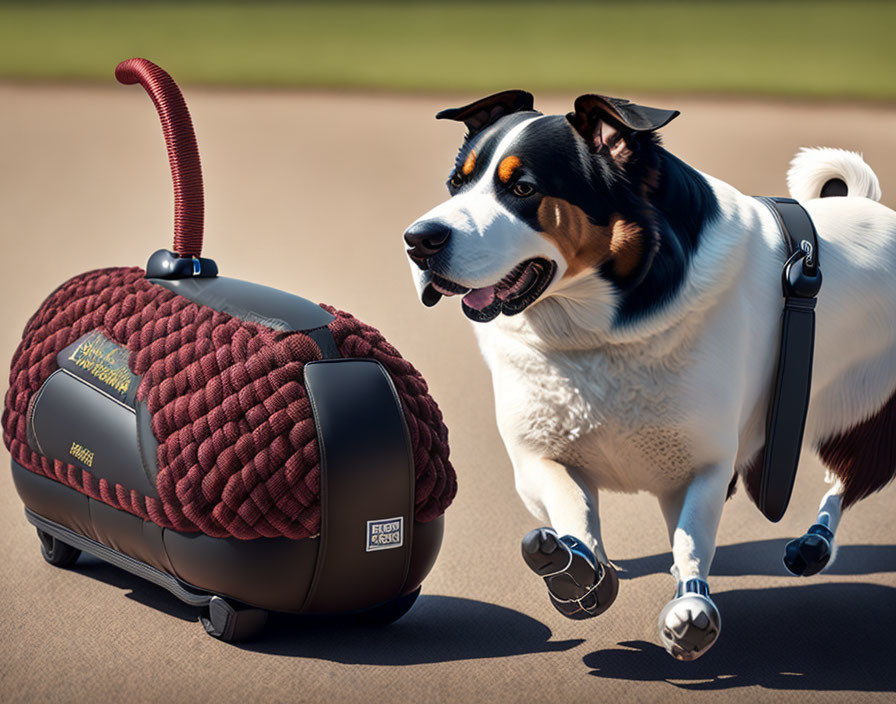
x=629 y=310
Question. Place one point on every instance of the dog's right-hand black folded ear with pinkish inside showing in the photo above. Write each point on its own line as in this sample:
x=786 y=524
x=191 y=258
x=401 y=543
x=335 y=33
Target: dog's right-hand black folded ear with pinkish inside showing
x=606 y=122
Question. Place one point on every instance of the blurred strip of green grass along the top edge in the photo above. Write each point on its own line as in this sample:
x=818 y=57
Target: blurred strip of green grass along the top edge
x=802 y=49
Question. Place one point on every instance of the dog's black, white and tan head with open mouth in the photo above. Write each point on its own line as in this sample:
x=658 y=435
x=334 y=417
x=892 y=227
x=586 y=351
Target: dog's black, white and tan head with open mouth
x=537 y=200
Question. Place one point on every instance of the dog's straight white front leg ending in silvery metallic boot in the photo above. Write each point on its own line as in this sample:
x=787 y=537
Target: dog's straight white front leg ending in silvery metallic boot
x=690 y=623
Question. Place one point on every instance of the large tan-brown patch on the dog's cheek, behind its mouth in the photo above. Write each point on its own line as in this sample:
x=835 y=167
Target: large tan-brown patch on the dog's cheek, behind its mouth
x=585 y=245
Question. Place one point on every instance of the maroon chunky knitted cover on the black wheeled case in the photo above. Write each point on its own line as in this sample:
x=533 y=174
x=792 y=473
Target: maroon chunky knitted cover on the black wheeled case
x=238 y=451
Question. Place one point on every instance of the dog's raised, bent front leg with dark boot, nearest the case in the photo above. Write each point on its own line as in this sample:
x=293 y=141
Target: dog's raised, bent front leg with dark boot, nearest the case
x=569 y=556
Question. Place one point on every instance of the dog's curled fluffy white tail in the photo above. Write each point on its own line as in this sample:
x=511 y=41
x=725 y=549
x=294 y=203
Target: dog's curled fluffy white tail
x=811 y=169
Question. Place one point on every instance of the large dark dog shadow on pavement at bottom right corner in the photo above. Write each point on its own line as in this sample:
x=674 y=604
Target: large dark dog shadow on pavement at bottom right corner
x=810 y=637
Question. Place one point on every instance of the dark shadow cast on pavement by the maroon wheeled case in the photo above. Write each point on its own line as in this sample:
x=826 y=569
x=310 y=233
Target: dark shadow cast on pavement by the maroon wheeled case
x=437 y=629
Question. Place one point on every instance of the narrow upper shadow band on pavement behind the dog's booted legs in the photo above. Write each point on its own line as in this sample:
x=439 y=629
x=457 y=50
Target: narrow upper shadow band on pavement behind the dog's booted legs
x=764 y=557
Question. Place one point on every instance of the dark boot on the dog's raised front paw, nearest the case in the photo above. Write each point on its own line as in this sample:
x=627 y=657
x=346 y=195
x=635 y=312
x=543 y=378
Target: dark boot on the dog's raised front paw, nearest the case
x=579 y=586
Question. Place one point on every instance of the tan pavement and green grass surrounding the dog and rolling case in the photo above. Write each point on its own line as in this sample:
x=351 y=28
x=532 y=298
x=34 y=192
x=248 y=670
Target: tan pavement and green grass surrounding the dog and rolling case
x=315 y=125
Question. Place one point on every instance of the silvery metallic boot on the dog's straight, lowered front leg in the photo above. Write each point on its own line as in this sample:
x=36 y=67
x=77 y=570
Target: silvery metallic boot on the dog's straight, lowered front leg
x=690 y=623
